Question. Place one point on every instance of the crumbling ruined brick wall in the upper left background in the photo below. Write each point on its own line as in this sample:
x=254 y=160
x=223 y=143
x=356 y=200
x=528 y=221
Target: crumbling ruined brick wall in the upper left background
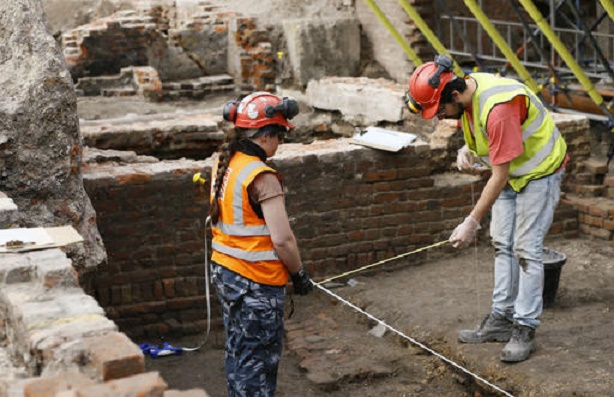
x=129 y=38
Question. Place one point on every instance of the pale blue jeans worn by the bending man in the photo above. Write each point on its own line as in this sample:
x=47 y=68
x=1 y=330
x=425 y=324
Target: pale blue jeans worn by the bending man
x=520 y=222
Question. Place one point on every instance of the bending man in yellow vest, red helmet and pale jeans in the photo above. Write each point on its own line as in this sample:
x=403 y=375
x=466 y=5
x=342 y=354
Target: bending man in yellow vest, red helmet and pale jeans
x=508 y=129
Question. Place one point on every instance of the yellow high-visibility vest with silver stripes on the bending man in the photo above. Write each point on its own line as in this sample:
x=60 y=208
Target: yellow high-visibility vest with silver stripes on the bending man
x=544 y=146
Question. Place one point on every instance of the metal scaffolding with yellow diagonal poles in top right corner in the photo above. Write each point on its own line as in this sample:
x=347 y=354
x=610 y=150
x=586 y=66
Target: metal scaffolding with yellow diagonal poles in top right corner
x=562 y=49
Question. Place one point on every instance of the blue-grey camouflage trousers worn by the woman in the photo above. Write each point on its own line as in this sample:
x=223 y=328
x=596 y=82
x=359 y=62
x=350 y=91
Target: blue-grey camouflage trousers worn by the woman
x=253 y=317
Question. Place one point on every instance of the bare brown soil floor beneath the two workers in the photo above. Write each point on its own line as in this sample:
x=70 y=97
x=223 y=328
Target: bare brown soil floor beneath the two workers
x=330 y=352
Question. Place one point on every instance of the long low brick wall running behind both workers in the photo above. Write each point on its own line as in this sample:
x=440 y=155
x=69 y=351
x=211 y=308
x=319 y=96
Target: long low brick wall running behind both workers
x=350 y=206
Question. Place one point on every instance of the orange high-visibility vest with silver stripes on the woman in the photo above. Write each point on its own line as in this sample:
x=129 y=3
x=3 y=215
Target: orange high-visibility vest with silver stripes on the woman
x=241 y=239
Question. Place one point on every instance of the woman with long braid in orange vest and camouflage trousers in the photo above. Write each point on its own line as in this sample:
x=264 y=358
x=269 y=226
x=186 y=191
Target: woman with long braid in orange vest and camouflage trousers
x=254 y=249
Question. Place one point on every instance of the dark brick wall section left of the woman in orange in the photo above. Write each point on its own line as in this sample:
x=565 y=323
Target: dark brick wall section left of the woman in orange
x=151 y=219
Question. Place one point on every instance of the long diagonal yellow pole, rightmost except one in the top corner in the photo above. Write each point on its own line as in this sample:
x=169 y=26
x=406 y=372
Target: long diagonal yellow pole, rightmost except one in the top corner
x=539 y=19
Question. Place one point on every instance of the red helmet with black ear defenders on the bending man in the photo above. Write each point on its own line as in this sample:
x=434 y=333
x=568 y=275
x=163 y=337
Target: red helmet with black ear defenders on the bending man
x=426 y=85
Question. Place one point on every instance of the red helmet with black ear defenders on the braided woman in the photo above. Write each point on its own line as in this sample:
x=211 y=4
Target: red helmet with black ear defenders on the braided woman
x=261 y=109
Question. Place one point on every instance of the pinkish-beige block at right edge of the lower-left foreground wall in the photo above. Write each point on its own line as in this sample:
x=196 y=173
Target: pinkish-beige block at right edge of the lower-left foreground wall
x=114 y=356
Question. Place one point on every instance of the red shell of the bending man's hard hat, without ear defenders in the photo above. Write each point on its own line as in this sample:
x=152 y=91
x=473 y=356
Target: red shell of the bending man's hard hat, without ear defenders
x=423 y=92
